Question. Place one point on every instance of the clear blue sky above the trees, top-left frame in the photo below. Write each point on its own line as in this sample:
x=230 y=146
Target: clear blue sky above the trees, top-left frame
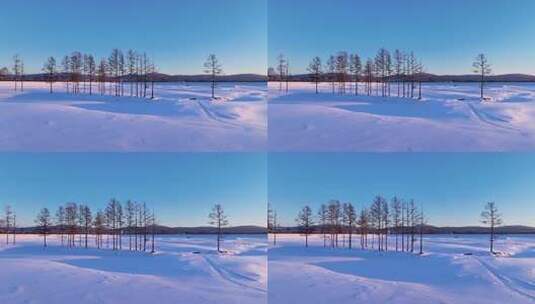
x=179 y=35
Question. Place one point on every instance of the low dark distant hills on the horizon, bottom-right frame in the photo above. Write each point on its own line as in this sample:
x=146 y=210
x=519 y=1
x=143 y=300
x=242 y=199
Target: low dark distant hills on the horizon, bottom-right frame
x=429 y=229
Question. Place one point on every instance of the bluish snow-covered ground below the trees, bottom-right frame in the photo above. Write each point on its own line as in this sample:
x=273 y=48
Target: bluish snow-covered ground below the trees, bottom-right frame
x=444 y=274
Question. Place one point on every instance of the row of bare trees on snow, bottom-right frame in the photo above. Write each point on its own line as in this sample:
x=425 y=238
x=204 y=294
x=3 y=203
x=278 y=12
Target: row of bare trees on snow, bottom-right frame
x=397 y=222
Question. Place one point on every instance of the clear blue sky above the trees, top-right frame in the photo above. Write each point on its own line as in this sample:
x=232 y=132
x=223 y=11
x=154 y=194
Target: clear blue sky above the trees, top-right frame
x=445 y=35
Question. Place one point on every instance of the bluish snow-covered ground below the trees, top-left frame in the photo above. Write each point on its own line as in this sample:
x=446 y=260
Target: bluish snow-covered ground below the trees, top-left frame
x=181 y=118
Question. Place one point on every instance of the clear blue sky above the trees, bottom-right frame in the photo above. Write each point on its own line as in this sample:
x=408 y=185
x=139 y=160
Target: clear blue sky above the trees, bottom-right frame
x=453 y=187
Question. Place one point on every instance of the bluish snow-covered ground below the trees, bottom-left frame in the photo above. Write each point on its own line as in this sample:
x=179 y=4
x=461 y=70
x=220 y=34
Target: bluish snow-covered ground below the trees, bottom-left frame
x=175 y=274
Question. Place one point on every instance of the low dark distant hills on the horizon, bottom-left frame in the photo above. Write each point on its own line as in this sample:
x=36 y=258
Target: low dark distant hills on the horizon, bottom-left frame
x=176 y=230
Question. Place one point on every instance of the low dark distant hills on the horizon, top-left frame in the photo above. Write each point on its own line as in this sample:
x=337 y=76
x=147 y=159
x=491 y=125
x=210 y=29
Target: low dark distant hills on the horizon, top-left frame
x=159 y=77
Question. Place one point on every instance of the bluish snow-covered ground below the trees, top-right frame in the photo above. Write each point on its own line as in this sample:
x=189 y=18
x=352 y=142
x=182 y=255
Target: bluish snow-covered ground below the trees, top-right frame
x=450 y=117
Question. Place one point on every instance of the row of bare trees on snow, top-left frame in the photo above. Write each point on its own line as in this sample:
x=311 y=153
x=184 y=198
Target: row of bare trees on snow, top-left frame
x=119 y=73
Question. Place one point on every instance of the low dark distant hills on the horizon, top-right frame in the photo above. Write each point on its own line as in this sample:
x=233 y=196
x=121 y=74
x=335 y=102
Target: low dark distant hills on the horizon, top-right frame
x=426 y=77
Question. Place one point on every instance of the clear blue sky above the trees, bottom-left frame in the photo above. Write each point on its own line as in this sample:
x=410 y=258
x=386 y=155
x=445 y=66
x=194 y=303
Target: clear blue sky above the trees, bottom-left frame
x=181 y=187
